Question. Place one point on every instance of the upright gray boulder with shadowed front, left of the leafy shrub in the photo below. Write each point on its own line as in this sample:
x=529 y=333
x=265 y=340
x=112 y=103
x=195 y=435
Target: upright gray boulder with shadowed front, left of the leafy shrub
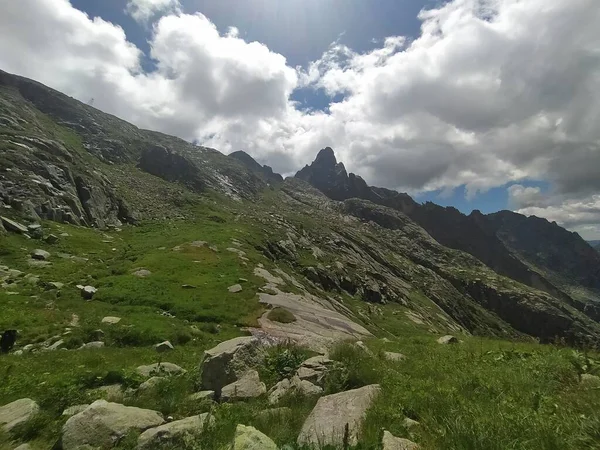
x=228 y=361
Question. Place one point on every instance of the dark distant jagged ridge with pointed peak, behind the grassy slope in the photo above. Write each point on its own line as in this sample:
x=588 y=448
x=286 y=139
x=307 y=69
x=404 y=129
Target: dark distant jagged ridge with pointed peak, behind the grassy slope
x=529 y=250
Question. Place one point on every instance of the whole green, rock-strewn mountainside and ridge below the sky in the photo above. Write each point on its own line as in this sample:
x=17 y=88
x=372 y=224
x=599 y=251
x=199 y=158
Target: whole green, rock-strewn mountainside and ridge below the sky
x=126 y=253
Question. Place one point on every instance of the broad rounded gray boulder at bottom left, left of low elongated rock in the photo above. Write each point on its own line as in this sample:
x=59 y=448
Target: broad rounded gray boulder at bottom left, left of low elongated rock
x=103 y=424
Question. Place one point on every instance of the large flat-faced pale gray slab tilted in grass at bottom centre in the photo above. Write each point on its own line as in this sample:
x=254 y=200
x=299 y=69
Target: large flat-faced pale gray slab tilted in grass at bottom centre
x=333 y=414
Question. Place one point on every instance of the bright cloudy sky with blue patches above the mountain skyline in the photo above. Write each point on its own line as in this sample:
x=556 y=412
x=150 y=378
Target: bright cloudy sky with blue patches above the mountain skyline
x=477 y=104
